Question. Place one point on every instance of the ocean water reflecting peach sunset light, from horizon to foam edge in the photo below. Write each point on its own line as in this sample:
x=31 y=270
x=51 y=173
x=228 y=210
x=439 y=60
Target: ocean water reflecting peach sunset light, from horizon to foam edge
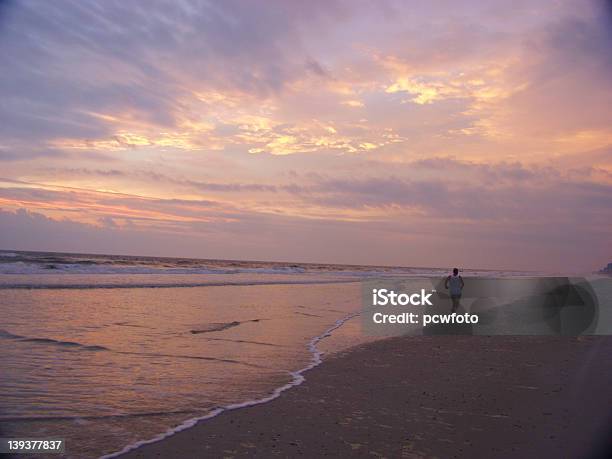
x=111 y=351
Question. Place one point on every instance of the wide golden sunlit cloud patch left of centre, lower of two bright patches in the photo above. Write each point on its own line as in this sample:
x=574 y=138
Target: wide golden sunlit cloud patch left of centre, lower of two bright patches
x=261 y=132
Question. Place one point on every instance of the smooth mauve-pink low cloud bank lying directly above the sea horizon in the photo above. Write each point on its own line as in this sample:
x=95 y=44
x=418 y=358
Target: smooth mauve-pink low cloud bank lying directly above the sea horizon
x=411 y=242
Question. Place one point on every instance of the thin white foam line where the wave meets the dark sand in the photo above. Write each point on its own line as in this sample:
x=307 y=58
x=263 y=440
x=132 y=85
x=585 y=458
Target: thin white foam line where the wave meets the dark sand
x=298 y=378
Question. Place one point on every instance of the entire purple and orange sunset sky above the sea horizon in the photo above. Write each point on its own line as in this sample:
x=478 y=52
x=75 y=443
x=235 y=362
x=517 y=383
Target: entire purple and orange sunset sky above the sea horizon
x=412 y=133
